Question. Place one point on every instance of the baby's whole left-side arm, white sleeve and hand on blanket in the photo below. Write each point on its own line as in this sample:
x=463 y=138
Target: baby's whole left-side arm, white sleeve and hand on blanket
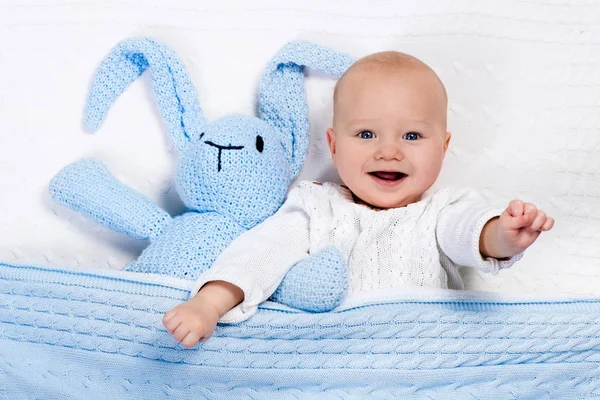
x=245 y=274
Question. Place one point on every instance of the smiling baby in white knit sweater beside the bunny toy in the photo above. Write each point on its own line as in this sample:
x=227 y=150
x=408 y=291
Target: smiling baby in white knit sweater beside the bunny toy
x=387 y=142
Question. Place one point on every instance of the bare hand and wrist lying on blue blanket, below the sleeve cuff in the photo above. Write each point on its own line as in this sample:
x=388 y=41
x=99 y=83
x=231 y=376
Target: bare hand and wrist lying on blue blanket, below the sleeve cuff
x=195 y=320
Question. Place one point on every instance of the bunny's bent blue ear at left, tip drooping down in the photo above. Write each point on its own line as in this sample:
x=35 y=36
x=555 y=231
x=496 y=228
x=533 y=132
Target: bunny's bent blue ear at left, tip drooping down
x=171 y=83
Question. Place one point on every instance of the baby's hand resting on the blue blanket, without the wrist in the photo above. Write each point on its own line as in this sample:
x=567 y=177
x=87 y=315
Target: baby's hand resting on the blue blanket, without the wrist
x=193 y=321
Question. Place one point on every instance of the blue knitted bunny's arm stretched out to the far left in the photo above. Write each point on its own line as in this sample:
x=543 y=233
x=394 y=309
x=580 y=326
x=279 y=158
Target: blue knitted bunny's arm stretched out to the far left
x=87 y=187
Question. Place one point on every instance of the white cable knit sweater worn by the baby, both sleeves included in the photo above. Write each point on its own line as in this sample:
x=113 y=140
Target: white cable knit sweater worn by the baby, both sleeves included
x=422 y=244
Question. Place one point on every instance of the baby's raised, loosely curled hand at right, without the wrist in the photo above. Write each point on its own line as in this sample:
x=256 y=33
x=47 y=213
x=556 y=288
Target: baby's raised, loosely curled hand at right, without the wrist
x=520 y=225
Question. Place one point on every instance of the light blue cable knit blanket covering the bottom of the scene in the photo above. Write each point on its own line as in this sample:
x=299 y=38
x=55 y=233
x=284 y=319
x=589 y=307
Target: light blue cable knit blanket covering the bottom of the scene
x=68 y=334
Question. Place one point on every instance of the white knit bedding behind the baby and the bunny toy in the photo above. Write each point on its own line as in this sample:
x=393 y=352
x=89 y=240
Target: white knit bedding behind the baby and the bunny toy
x=523 y=79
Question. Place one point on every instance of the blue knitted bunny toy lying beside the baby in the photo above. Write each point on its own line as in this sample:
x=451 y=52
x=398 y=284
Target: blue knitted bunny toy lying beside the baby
x=232 y=173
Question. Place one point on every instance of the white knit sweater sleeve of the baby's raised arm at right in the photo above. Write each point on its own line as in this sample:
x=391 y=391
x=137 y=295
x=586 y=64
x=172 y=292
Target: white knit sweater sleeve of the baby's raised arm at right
x=459 y=228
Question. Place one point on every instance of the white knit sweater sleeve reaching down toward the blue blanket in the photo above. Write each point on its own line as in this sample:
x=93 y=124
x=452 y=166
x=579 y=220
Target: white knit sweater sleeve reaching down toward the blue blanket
x=258 y=260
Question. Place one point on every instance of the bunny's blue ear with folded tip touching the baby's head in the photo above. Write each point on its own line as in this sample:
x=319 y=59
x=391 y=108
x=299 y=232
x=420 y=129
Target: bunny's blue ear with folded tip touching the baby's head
x=282 y=97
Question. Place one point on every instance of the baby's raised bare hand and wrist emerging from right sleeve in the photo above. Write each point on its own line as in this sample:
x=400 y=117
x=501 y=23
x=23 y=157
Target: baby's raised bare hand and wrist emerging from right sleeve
x=514 y=230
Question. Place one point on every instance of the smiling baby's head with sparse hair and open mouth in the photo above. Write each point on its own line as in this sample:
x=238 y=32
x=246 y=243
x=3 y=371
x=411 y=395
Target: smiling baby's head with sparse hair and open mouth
x=389 y=137
